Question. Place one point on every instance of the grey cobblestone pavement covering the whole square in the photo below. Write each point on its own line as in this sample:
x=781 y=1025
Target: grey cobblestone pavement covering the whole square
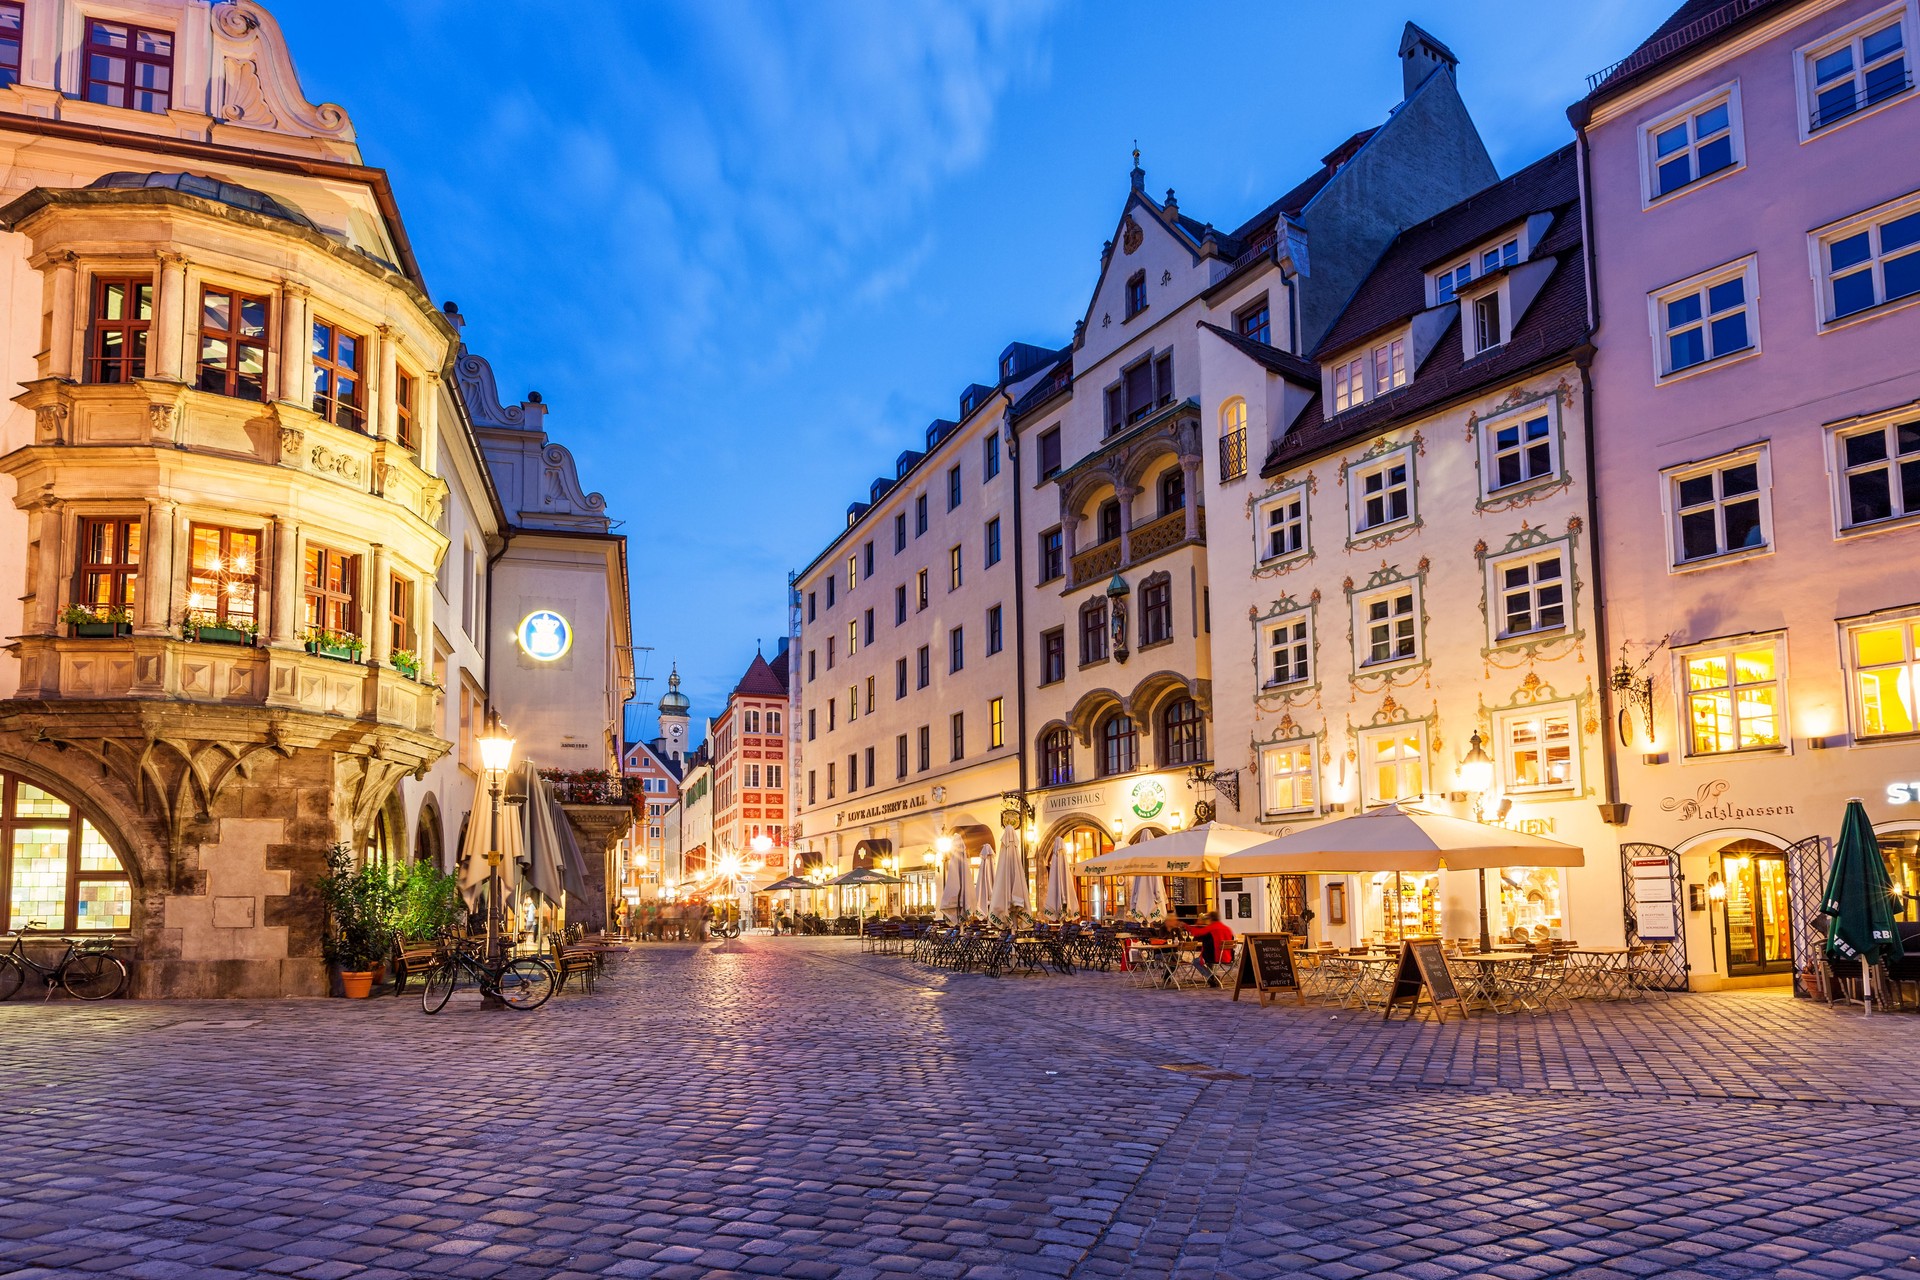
x=796 y=1108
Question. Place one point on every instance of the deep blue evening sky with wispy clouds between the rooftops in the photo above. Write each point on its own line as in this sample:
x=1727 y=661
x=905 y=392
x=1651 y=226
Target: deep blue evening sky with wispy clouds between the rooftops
x=748 y=250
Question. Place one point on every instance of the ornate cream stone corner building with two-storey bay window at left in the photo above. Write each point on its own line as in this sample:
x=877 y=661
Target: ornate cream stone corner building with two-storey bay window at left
x=233 y=408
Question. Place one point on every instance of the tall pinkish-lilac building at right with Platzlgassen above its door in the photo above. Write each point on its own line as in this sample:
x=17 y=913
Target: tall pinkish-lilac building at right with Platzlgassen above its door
x=1754 y=201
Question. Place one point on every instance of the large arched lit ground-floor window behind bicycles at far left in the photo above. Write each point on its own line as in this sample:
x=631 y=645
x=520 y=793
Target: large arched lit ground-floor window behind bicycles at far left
x=57 y=866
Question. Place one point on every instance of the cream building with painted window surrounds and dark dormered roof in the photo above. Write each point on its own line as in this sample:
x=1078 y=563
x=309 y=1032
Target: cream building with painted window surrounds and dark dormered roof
x=1414 y=571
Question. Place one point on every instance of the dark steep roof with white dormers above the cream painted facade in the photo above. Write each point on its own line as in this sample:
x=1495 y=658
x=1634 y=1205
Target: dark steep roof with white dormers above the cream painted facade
x=1395 y=291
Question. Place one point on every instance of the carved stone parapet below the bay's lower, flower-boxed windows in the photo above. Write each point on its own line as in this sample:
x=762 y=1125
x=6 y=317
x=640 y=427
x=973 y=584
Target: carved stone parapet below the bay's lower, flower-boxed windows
x=162 y=669
